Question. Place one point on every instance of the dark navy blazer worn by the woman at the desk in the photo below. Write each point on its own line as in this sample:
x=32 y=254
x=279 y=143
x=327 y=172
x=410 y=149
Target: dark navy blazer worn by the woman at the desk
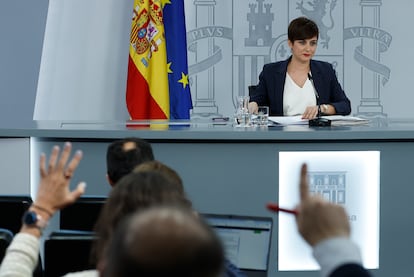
x=269 y=91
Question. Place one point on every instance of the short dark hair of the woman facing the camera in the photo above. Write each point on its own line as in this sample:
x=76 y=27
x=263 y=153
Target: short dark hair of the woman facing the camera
x=302 y=28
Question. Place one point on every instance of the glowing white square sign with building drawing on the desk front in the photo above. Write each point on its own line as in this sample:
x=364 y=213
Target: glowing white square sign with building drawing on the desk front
x=347 y=178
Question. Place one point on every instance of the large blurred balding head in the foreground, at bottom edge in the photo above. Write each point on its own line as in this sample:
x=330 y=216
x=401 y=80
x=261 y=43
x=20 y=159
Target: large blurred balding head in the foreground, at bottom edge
x=164 y=242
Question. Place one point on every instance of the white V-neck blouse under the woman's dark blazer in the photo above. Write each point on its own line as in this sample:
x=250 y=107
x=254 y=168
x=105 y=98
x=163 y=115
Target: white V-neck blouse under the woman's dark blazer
x=296 y=98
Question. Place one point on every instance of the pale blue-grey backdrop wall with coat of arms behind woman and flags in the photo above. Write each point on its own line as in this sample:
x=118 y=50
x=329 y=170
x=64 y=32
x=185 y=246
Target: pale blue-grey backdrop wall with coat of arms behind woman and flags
x=82 y=71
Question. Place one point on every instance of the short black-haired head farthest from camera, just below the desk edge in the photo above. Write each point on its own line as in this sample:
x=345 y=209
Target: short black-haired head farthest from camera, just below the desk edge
x=124 y=155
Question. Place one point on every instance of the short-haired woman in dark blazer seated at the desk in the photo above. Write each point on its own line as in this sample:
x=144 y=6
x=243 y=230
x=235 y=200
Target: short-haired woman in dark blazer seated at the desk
x=299 y=84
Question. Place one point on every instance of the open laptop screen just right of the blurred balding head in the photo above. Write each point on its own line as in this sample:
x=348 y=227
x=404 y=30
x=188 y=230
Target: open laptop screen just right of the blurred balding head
x=246 y=240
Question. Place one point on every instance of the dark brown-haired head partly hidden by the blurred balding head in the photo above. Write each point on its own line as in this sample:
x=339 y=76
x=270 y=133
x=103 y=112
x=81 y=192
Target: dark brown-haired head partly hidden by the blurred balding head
x=136 y=191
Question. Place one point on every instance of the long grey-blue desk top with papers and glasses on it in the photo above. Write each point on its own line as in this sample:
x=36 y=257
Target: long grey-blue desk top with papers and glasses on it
x=207 y=131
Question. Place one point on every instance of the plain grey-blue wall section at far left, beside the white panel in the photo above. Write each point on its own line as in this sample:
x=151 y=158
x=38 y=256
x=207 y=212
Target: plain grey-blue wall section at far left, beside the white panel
x=22 y=25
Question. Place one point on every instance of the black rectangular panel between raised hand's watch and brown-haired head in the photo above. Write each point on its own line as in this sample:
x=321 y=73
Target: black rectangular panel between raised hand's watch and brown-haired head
x=82 y=214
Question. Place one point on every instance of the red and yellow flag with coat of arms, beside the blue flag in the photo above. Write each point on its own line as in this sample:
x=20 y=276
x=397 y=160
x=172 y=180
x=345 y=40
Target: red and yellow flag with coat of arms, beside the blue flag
x=147 y=94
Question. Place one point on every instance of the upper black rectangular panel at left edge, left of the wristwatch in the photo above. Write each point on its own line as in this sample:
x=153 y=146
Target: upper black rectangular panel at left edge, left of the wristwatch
x=13 y=208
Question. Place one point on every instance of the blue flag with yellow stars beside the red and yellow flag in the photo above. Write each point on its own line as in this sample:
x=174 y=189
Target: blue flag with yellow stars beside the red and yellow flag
x=176 y=42
